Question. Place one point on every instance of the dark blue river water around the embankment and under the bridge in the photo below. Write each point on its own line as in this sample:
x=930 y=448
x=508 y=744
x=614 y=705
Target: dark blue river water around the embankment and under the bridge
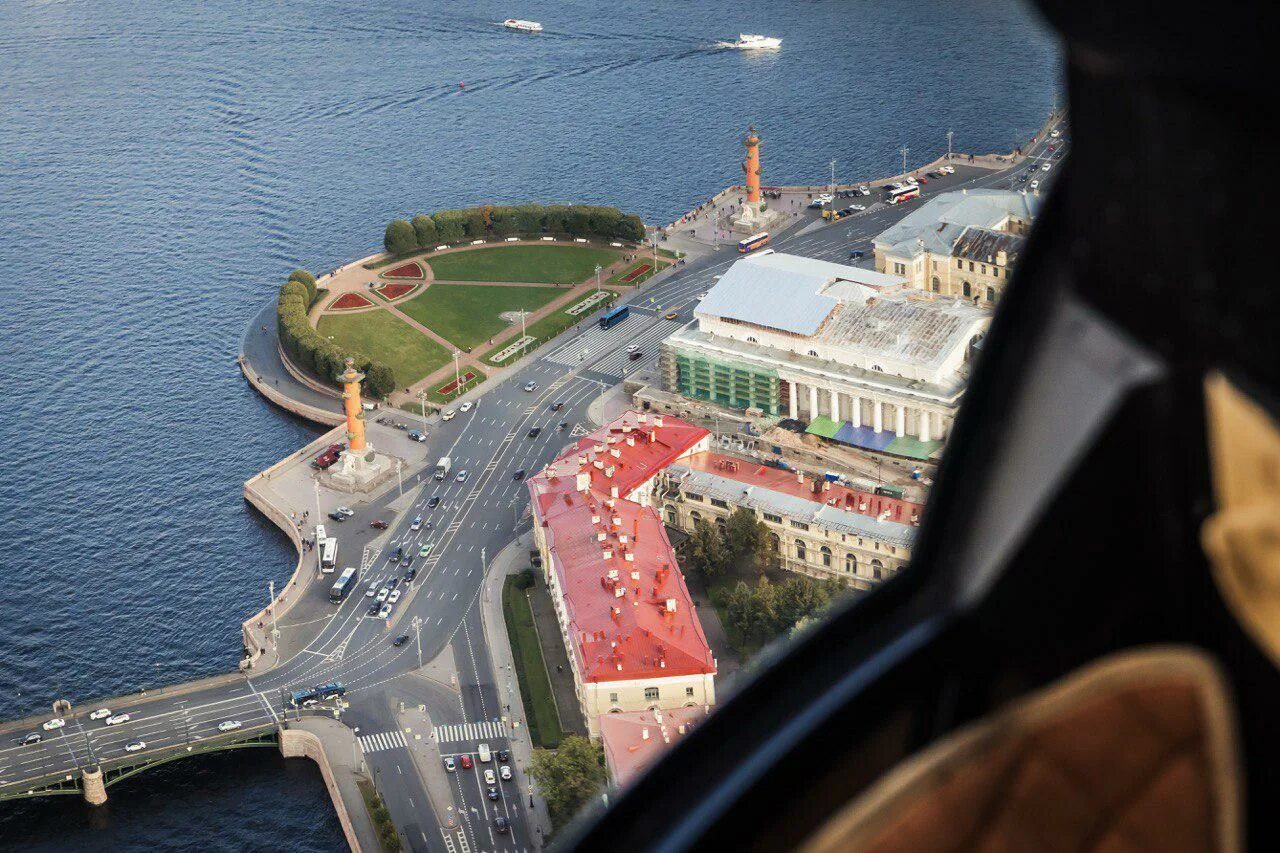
x=164 y=165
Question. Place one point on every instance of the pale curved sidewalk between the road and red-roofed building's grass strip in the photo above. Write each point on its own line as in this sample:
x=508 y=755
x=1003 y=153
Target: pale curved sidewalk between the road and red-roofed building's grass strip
x=509 y=562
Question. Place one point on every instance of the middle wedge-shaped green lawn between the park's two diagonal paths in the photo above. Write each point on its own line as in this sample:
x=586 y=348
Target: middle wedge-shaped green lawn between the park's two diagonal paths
x=468 y=314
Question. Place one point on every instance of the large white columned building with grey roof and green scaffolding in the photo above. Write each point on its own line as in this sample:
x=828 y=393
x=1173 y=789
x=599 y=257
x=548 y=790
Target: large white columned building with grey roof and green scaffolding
x=858 y=355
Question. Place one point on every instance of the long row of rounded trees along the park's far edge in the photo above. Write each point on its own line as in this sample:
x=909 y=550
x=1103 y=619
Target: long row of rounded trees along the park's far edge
x=510 y=221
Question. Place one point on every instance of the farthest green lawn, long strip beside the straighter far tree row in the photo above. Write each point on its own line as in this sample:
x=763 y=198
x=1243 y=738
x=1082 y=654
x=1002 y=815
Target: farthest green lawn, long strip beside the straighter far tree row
x=554 y=263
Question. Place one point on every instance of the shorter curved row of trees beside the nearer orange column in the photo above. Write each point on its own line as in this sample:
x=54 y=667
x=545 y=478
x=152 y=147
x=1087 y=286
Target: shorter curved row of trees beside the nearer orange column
x=313 y=352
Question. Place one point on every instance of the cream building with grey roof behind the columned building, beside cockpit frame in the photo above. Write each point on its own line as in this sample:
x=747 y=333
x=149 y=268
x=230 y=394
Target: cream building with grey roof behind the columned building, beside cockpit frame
x=961 y=244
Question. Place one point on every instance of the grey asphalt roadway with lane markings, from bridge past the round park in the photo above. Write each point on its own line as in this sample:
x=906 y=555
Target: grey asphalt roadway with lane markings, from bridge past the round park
x=476 y=518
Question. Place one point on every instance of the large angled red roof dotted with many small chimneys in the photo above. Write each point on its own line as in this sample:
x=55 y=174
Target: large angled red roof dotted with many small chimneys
x=629 y=609
